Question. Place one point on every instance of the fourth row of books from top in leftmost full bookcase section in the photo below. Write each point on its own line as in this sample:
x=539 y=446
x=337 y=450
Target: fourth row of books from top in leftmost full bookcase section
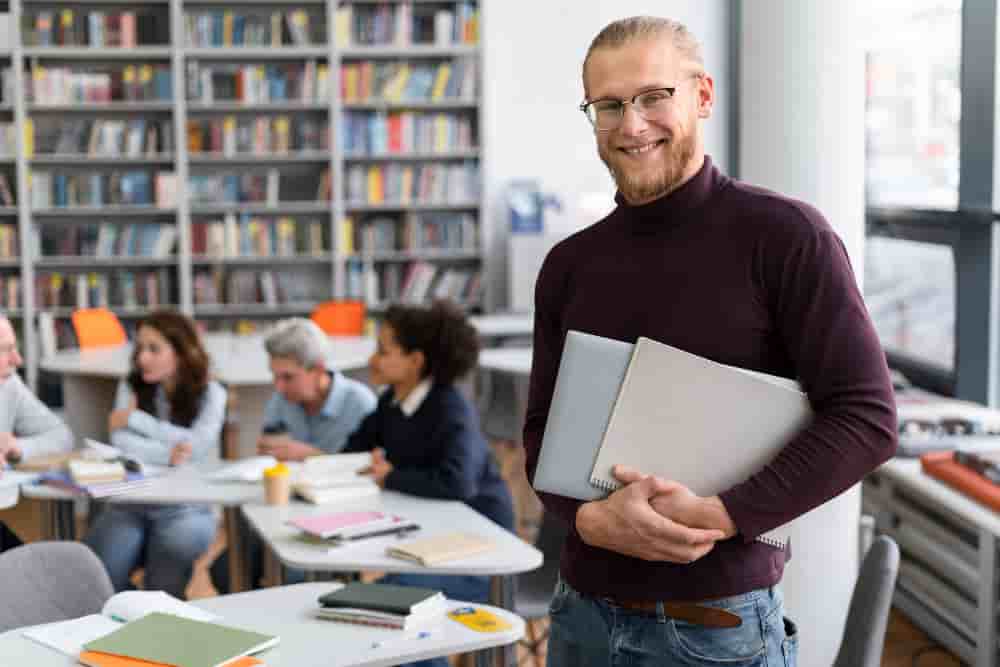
x=78 y=188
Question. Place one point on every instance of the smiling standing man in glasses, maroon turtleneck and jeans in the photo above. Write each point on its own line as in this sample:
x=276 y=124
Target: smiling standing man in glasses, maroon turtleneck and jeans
x=654 y=574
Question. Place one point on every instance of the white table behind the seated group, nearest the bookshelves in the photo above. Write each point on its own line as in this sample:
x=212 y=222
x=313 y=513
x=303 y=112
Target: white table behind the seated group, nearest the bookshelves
x=90 y=377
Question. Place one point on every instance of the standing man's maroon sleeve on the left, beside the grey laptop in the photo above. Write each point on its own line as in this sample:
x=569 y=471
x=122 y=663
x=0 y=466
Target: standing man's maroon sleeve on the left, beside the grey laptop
x=546 y=353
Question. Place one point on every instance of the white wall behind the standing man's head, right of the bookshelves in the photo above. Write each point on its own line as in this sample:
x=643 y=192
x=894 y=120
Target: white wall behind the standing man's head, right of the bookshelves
x=534 y=51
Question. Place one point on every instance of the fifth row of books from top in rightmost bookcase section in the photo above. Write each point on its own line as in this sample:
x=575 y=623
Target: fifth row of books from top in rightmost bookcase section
x=419 y=231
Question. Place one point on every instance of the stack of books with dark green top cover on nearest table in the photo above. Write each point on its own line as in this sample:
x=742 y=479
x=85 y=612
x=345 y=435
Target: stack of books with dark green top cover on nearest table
x=406 y=608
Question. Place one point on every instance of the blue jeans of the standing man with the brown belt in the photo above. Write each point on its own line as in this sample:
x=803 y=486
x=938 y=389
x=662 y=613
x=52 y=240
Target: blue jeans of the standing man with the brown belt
x=593 y=632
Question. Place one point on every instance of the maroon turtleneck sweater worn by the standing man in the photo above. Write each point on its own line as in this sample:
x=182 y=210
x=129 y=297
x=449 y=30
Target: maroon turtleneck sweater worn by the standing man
x=745 y=277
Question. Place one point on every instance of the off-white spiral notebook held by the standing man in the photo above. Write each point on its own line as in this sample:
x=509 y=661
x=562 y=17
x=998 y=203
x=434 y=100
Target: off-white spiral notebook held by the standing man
x=704 y=424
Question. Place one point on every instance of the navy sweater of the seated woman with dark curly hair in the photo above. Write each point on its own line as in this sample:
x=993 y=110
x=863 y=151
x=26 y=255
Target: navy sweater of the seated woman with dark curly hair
x=438 y=452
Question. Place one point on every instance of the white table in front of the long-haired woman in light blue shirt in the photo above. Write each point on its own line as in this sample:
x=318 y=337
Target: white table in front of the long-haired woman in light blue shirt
x=186 y=485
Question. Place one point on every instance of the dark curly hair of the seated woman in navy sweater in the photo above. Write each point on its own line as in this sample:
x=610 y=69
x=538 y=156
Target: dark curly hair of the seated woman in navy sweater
x=449 y=343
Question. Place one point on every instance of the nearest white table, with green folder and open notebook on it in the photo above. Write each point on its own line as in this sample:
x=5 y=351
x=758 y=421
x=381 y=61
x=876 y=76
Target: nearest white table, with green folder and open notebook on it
x=306 y=641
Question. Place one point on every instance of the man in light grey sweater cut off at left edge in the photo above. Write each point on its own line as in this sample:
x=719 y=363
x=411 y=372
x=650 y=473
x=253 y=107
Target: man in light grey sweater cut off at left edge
x=27 y=427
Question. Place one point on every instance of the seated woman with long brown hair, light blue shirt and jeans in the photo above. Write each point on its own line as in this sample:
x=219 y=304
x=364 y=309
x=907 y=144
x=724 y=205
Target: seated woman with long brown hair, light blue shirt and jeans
x=167 y=412
